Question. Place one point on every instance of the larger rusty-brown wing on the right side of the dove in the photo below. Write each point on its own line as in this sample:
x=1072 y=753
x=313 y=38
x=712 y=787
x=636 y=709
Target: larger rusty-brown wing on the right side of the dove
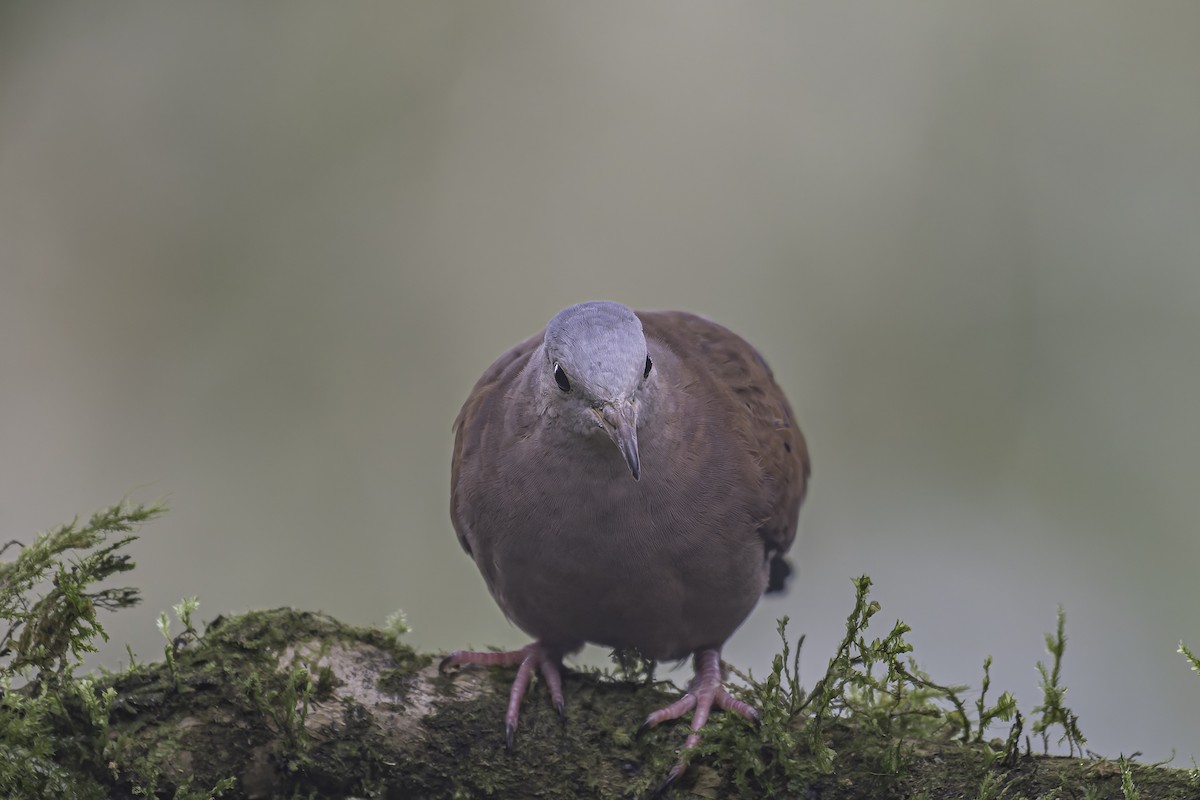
x=769 y=429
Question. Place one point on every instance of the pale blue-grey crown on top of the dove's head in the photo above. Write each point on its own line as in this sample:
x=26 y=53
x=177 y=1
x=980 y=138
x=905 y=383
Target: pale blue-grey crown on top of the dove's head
x=601 y=346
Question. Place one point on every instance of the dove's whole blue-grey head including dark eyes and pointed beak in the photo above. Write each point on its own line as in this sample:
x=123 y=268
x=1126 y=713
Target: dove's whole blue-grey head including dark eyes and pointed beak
x=597 y=369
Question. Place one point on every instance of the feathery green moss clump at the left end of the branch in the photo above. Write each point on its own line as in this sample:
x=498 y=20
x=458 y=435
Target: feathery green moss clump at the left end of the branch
x=57 y=736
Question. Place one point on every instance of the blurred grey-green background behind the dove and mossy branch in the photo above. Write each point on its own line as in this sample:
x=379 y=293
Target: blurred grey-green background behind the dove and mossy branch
x=254 y=257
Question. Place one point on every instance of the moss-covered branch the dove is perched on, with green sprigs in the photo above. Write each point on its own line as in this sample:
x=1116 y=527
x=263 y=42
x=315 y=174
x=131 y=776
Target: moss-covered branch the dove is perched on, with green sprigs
x=289 y=703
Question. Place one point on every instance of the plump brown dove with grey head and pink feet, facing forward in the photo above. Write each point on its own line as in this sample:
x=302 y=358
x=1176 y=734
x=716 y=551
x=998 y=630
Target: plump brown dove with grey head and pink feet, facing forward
x=631 y=480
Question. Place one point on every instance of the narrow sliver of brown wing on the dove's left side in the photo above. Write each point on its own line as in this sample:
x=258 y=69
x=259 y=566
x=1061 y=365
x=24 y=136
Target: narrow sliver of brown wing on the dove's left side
x=483 y=404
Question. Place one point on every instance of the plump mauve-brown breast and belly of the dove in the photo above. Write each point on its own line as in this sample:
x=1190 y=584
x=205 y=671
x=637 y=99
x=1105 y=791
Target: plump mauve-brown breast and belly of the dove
x=574 y=546
